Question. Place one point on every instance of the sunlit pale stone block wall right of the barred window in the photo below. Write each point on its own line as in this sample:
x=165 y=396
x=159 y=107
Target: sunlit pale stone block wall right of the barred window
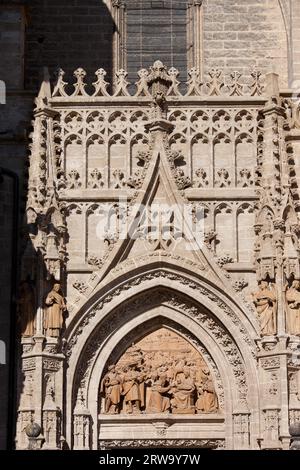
x=240 y=34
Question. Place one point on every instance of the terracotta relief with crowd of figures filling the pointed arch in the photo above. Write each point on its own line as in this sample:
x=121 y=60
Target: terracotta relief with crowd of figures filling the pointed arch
x=161 y=374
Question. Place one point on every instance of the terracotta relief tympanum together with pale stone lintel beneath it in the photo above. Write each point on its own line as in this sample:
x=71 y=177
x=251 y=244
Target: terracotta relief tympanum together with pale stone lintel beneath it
x=157 y=388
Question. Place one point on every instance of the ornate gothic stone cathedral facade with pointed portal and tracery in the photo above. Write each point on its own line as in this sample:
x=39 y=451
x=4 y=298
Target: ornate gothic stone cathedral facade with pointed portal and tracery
x=159 y=289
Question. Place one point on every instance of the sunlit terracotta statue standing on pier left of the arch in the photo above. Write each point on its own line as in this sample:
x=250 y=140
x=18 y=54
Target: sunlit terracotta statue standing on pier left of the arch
x=53 y=320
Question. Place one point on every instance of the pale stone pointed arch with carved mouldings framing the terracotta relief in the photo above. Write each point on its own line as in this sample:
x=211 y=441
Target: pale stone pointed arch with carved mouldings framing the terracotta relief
x=153 y=292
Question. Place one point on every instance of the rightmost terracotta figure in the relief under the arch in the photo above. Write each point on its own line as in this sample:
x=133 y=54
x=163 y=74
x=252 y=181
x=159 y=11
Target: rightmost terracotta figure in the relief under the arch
x=207 y=401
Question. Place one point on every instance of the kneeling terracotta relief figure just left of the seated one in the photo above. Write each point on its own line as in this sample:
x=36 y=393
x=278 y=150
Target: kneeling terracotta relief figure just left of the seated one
x=159 y=402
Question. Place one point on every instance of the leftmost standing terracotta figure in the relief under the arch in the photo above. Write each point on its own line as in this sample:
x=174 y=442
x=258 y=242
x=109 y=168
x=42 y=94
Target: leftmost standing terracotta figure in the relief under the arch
x=111 y=388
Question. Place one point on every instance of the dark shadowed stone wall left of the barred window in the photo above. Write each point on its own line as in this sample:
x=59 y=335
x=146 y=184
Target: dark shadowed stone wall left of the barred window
x=67 y=34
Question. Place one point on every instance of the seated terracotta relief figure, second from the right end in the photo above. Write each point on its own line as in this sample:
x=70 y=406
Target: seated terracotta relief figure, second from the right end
x=183 y=392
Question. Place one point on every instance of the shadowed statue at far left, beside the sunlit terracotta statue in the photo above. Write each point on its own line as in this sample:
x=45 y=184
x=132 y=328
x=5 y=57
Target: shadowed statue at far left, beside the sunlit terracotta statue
x=26 y=309
